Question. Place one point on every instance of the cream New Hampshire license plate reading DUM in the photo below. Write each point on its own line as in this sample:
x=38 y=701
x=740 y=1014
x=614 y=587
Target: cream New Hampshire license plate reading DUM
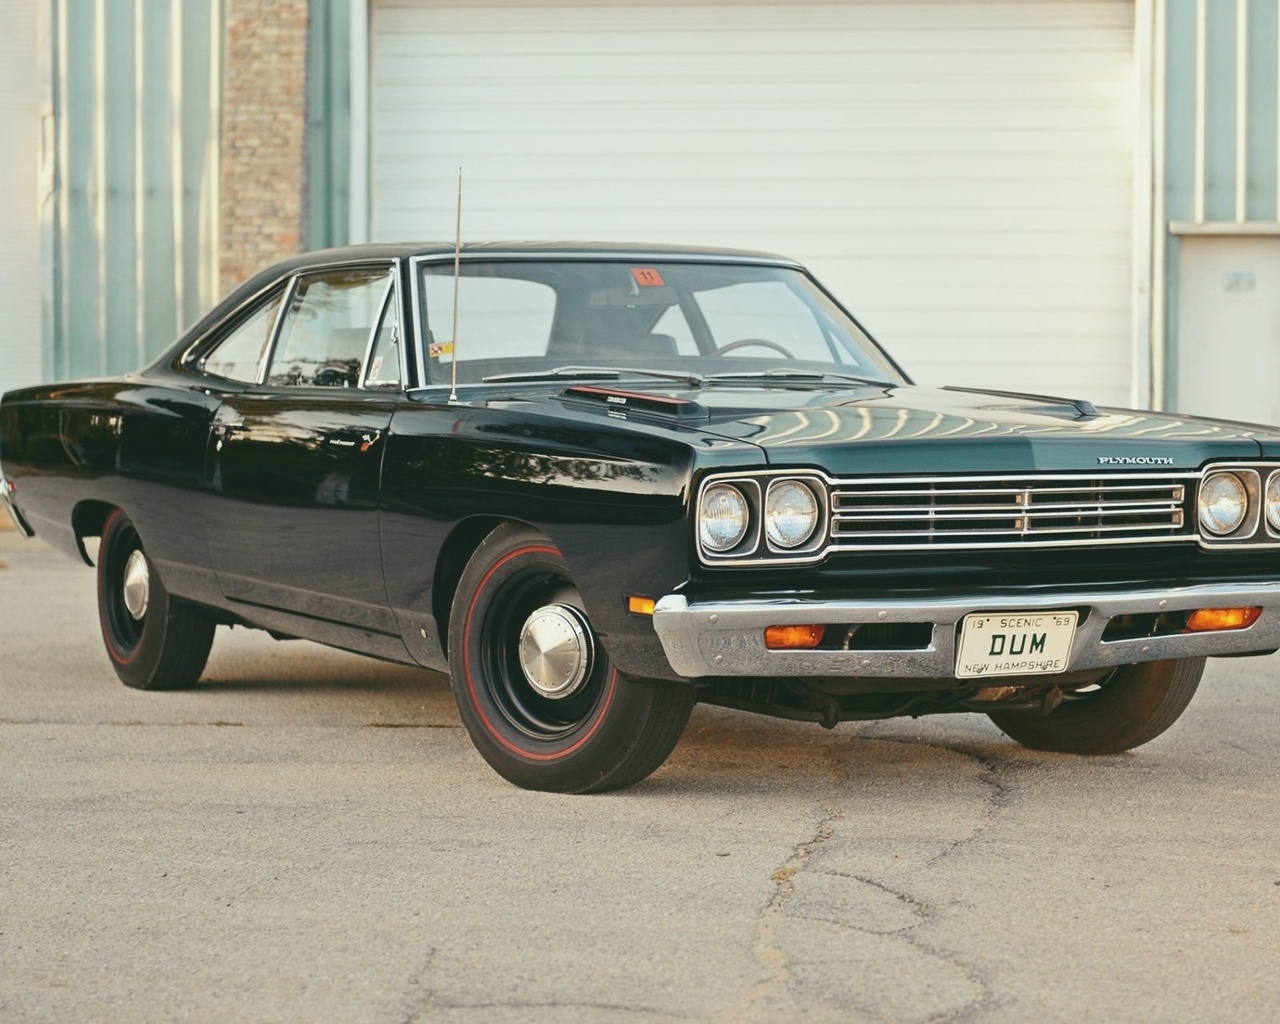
x=1016 y=644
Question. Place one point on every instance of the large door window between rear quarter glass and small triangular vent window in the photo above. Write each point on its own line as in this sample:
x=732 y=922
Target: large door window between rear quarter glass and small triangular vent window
x=327 y=328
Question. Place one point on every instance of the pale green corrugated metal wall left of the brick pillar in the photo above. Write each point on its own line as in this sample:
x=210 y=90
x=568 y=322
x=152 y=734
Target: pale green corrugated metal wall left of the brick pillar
x=131 y=222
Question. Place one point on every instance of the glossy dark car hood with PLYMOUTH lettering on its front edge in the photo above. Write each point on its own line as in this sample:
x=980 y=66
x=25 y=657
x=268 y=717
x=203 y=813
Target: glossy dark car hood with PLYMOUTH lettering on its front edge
x=912 y=429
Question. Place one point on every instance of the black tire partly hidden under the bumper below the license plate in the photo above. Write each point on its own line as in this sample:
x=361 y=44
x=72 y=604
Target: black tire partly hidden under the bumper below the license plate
x=1133 y=706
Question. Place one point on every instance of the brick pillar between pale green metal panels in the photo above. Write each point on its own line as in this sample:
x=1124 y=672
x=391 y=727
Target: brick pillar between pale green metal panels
x=264 y=135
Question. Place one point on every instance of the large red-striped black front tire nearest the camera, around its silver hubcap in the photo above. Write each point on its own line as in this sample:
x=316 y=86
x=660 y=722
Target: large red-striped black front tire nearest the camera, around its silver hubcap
x=609 y=733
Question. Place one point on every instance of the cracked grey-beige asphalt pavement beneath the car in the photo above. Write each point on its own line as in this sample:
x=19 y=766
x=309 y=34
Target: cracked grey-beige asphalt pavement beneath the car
x=309 y=836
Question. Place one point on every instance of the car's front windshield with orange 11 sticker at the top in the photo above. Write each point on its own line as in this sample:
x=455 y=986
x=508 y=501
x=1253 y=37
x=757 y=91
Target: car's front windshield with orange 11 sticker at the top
x=532 y=317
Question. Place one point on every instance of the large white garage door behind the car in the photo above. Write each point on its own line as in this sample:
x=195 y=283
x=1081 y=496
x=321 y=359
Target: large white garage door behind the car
x=959 y=173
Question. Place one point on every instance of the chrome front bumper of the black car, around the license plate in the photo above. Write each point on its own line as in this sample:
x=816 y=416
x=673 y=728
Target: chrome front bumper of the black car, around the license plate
x=728 y=638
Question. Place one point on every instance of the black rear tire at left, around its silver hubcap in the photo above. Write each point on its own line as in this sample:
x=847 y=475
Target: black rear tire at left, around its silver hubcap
x=163 y=647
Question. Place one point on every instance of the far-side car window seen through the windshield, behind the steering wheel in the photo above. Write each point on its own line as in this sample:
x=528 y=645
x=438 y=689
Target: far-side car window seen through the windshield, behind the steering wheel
x=764 y=312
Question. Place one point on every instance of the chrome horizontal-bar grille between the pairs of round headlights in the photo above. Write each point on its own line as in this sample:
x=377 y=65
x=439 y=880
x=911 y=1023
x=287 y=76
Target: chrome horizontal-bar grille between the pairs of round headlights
x=1005 y=511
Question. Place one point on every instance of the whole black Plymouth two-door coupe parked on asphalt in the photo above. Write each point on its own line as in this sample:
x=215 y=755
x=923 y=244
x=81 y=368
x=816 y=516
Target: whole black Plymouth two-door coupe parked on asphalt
x=598 y=484
